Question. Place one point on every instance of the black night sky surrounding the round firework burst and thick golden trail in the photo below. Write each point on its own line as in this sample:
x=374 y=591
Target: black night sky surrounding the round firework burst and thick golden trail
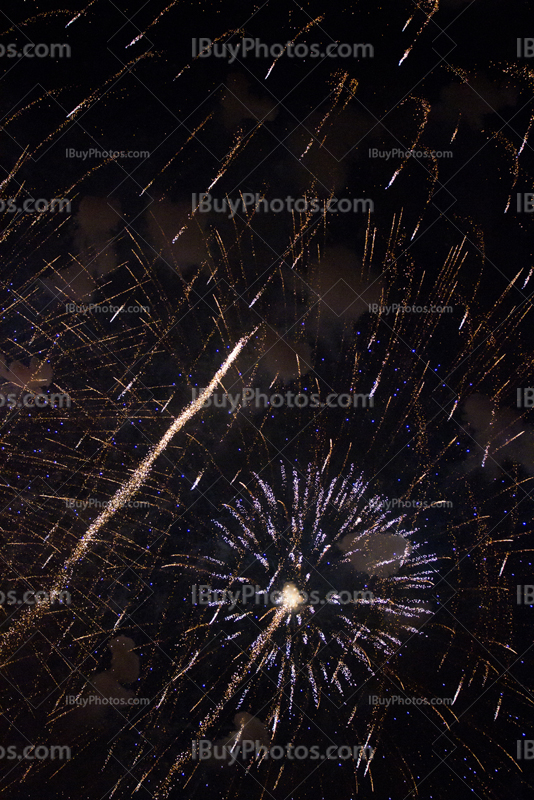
x=156 y=105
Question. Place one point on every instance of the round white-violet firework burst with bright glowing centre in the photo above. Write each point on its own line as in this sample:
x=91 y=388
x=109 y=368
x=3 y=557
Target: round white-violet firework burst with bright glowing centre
x=293 y=549
